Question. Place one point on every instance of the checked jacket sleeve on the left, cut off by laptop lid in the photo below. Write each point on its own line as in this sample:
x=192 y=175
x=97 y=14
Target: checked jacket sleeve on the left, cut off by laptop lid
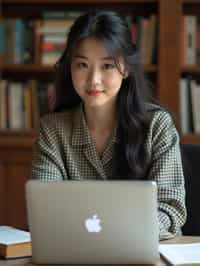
x=47 y=163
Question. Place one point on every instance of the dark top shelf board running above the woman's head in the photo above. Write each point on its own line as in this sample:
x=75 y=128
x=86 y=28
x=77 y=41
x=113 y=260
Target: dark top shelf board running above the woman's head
x=33 y=9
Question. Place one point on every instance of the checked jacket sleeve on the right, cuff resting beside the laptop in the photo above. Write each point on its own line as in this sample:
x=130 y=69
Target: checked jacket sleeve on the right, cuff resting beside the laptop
x=166 y=169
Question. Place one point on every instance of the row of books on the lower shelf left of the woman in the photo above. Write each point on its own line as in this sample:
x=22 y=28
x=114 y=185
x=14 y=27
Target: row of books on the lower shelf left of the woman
x=22 y=103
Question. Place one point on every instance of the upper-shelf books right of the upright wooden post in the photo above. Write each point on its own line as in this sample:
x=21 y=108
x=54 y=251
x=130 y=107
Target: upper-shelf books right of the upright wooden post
x=190 y=40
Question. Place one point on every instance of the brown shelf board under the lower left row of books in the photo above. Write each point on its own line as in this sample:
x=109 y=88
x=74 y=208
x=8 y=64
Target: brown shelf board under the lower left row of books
x=15 y=139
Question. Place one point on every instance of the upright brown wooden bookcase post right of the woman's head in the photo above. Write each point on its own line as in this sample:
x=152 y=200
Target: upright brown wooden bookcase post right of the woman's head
x=169 y=54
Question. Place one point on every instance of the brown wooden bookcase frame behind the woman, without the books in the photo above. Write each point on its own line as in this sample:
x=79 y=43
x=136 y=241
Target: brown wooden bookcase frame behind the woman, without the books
x=16 y=147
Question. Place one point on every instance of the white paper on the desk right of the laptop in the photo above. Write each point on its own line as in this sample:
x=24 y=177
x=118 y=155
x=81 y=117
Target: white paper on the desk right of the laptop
x=181 y=253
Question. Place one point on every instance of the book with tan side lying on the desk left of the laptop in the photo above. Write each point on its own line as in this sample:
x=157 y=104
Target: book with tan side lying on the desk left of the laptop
x=14 y=242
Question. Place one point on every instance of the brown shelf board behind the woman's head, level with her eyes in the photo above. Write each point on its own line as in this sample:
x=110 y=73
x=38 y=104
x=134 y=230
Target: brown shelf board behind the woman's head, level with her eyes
x=35 y=69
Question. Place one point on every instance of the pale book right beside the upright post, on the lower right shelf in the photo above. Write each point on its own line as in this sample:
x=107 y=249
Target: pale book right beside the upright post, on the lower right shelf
x=184 y=105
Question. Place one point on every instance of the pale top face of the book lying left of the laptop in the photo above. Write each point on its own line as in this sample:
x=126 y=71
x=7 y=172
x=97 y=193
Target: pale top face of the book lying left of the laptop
x=11 y=235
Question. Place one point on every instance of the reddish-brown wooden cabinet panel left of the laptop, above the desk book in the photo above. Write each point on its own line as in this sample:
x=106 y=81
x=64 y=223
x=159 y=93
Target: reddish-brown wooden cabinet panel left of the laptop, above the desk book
x=15 y=163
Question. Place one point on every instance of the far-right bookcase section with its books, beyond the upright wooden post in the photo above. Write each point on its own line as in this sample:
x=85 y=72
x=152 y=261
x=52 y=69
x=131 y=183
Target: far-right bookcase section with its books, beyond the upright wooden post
x=190 y=69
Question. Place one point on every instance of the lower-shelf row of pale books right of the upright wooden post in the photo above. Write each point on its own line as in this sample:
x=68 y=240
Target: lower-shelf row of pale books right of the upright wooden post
x=189 y=105
